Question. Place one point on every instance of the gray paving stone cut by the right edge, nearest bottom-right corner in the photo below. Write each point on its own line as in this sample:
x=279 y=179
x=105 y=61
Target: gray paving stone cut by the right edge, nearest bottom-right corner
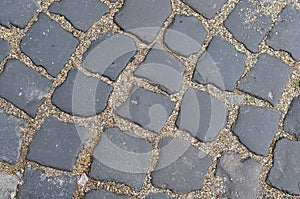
x=285 y=172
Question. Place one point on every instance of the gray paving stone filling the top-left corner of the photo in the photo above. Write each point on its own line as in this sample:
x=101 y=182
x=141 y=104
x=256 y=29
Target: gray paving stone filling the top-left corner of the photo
x=17 y=13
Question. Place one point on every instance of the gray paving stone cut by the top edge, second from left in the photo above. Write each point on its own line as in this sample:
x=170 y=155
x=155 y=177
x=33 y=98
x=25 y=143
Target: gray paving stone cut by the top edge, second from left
x=81 y=13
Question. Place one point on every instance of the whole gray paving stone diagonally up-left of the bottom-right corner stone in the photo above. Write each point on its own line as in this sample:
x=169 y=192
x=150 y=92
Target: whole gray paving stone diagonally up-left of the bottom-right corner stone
x=256 y=127
